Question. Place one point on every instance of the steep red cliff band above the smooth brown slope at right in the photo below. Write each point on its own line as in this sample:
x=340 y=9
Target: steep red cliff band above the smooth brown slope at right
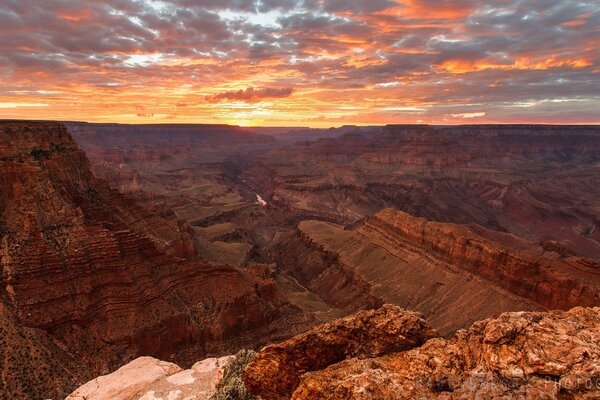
x=550 y=283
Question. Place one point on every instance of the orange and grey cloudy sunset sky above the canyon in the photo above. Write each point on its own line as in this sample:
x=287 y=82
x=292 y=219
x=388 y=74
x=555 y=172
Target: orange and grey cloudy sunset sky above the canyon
x=315 y=63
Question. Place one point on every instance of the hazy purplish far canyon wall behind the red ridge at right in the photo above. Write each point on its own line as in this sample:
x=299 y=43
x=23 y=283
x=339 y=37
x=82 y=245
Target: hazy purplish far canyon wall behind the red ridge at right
x=536 y=181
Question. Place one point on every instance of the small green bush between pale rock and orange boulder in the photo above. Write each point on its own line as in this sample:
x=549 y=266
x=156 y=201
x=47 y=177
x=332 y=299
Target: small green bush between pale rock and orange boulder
x=231 y=386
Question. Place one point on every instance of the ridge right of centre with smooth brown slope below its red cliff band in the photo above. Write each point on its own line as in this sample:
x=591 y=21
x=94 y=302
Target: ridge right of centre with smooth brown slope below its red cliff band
x=454 y=274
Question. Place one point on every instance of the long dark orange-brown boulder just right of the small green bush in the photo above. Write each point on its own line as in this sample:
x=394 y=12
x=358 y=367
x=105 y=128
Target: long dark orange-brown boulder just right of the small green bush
x=277 y=370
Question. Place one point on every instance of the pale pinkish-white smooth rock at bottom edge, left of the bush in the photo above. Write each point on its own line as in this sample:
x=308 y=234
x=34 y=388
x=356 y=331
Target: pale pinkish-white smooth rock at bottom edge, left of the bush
x=147 y=378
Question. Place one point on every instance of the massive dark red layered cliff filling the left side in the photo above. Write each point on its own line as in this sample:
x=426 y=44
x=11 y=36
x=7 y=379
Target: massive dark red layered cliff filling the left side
x=88 y=282
